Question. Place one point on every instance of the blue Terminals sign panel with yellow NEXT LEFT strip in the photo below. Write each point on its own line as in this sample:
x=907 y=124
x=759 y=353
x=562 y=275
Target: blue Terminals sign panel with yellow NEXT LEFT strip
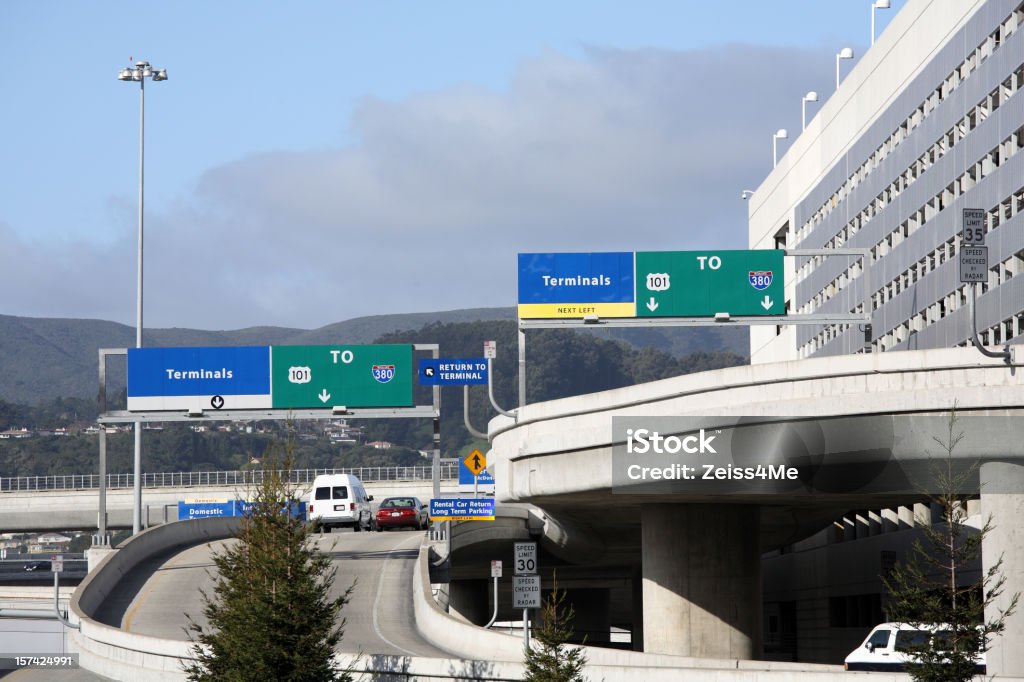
x=577 y=285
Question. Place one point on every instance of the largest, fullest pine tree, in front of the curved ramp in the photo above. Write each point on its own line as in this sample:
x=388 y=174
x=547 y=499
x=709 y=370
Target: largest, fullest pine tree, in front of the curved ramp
x=271 y=616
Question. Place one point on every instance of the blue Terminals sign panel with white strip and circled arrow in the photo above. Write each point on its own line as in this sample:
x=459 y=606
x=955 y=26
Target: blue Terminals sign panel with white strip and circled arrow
x=232 y=378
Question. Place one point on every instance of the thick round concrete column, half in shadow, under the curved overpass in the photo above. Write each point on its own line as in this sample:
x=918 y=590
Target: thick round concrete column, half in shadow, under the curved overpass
x=702 y=580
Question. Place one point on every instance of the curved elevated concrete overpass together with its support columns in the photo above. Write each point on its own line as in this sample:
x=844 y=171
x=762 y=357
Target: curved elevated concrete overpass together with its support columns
x=860 y=433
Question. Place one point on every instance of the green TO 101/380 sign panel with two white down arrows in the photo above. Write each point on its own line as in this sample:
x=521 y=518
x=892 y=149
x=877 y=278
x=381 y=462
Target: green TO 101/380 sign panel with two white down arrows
x=699 y=284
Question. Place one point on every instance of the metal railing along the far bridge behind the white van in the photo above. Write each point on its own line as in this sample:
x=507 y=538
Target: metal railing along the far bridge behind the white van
x=450 y=472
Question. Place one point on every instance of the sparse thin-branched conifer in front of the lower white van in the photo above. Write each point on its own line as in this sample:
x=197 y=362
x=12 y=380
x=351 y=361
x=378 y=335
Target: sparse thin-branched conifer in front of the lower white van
x=925 y=592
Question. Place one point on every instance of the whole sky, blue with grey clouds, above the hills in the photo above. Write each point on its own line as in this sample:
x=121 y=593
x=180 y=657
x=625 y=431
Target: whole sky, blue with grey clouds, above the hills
x=313 y=162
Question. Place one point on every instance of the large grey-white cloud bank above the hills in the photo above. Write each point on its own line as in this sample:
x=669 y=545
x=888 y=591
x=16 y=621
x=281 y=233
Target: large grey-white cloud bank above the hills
x=621 y=151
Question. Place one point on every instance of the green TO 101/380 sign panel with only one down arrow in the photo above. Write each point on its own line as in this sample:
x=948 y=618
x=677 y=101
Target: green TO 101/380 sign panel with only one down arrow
x=366 y=376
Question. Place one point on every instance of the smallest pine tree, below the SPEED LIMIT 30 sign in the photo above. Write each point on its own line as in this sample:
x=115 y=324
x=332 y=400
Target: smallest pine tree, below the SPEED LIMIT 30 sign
x=551 y=660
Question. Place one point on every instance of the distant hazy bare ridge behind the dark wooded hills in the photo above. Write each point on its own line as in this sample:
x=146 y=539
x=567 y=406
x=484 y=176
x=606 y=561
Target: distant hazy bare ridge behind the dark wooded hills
x=46 y=359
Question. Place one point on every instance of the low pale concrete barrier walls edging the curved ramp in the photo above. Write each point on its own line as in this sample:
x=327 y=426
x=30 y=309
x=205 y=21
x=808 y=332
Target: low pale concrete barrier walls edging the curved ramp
x=480 y=655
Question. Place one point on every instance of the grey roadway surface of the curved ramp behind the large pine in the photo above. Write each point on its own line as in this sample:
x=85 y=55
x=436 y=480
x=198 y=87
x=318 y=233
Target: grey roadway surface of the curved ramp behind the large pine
x=158 y=594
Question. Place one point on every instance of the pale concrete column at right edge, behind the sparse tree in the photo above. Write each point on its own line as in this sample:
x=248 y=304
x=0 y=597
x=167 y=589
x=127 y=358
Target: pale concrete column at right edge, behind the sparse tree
x=1003 y=500
